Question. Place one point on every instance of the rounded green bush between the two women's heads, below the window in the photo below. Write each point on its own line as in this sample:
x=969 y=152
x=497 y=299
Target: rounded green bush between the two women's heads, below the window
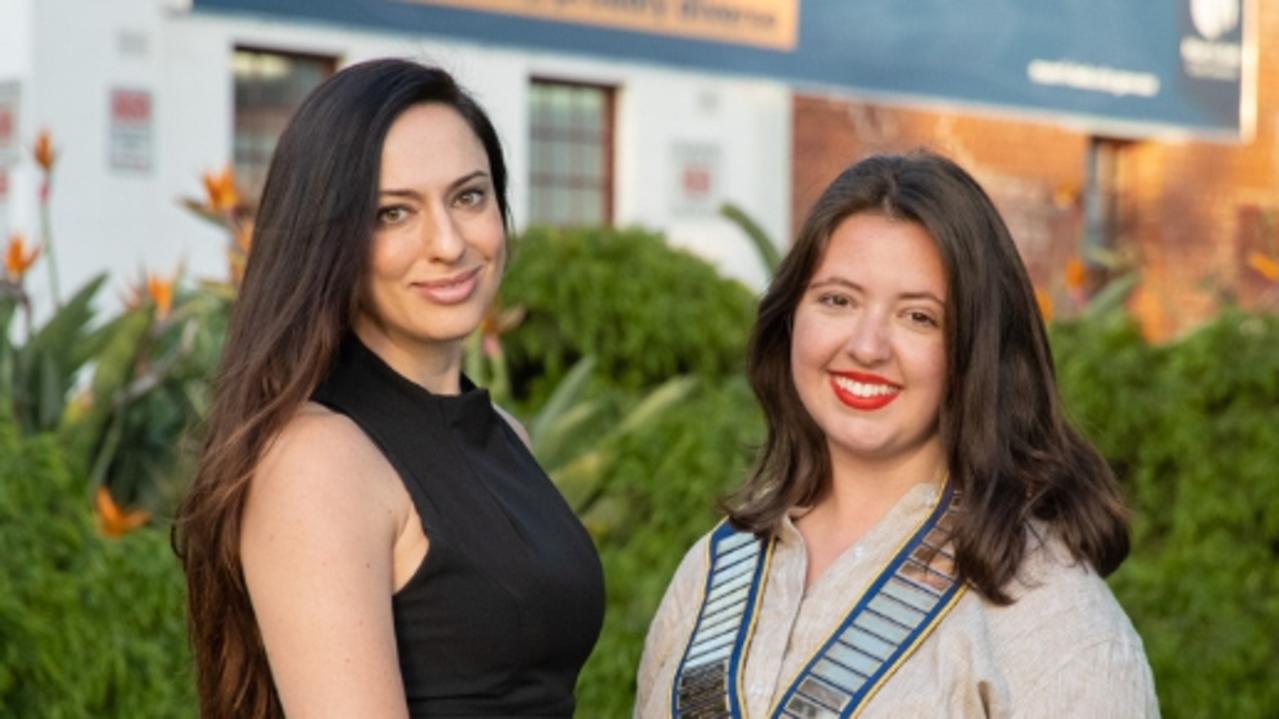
x=644 y=310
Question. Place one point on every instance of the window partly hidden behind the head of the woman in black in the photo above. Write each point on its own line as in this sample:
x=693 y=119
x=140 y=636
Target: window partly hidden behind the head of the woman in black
x=269 y=88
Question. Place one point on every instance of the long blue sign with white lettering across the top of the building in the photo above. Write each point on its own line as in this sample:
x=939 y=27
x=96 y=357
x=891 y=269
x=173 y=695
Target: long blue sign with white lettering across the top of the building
x=1130 y=68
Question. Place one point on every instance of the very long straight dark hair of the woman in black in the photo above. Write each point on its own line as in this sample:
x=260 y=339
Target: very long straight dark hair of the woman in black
x=310 y=251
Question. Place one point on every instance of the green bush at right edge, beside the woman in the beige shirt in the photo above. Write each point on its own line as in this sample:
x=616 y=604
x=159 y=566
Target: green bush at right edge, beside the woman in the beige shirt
x=1193 y=431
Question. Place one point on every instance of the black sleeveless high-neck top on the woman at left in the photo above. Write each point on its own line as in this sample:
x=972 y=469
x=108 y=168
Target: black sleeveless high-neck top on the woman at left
x=508 y=603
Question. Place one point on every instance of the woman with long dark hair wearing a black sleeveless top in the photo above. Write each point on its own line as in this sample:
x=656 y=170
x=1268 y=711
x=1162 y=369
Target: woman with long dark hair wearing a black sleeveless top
x=366 y=534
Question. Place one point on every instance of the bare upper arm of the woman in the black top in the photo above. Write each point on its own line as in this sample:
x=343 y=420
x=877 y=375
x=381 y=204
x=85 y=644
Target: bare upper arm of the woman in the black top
x=317 y=547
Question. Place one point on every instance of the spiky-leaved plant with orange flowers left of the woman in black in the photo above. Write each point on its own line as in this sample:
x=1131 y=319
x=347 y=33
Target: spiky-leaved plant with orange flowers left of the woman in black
x=150 y=372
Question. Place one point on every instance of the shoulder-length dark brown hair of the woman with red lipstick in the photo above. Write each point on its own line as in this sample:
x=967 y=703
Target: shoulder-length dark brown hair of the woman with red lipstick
x=1011 y=454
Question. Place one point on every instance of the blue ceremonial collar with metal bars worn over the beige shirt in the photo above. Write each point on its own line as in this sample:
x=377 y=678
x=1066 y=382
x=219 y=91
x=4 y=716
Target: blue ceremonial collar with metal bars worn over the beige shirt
x=888 y=622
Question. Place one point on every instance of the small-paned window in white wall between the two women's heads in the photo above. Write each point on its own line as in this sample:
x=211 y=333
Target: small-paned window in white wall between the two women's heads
x=571 y=146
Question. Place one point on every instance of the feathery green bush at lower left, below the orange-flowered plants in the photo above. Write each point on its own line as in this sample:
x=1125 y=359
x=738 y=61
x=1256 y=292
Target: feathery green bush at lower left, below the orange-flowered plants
x=89 y=626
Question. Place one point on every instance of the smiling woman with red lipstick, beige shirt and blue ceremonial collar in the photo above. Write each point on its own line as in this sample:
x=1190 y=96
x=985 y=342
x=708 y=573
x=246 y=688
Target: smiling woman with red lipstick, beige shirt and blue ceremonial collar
x=924 y=534
